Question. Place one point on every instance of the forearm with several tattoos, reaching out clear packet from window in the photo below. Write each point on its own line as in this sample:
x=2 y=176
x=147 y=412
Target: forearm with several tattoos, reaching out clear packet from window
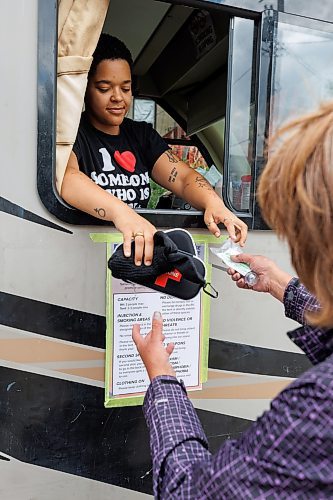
x=173 y=174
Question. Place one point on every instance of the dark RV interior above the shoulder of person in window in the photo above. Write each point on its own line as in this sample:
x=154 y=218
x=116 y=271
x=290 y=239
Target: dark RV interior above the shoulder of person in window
x=180 y=55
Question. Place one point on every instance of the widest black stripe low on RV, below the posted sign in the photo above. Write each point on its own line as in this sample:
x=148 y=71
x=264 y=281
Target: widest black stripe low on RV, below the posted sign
x=63 y=425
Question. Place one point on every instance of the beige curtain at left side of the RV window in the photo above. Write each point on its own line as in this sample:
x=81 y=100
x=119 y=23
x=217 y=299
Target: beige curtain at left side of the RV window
x=80 y=23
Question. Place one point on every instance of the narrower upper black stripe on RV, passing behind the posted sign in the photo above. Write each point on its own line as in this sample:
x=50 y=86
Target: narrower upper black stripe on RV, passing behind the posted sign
x=89 y=329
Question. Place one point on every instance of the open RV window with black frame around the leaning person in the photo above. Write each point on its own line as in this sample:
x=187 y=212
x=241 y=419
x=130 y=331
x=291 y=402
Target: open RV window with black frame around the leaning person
x=196 y=71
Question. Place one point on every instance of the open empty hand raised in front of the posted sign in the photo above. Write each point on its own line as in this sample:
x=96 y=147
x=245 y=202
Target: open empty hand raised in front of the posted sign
x=151 y=349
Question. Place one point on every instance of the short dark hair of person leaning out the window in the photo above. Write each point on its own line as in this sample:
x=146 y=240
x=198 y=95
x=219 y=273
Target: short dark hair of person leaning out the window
x=109 y=47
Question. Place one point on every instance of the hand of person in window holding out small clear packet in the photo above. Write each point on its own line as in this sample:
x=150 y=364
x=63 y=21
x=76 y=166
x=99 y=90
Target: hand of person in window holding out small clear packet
x=217 y=212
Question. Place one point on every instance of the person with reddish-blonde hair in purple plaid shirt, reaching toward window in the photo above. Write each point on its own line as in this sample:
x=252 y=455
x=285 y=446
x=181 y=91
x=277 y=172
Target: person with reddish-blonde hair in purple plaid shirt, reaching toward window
x=287 y=453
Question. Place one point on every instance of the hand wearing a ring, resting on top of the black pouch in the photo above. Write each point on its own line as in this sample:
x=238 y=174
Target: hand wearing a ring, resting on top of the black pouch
x=132 y=225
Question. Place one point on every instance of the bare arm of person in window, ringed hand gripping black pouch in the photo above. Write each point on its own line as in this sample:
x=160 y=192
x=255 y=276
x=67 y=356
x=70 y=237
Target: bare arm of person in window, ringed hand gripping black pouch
x=82 y=193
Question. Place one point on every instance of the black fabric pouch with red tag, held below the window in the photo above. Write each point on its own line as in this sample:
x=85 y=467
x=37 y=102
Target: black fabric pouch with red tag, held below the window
x=175 y=270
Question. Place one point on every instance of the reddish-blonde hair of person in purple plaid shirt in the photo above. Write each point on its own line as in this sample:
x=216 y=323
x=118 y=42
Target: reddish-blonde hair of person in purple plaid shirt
x=296 y=197
